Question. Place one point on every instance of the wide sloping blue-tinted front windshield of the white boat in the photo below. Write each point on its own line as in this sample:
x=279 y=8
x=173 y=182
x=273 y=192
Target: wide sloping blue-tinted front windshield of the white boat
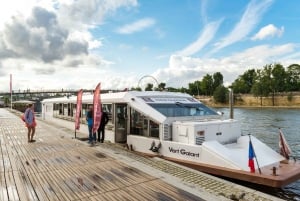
x=179 y=109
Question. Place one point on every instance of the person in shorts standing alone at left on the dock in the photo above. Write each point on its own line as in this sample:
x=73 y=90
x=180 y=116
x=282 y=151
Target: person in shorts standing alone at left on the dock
x=30 y=122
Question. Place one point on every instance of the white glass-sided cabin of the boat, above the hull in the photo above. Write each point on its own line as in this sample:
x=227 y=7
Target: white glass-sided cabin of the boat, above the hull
x=158 y=115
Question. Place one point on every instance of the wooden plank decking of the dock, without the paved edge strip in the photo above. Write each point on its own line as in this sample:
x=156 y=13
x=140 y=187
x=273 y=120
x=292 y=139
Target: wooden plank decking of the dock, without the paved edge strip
x=57 y=167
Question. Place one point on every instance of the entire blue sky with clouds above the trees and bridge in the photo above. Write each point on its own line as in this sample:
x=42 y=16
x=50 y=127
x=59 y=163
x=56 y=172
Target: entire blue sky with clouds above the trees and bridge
x=76 y=44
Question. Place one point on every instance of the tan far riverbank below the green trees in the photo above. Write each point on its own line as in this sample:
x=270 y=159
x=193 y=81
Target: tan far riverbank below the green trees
x=244 y=101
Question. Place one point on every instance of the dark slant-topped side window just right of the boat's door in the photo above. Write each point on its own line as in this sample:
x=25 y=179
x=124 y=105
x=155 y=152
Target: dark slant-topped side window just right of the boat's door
x=141 y=125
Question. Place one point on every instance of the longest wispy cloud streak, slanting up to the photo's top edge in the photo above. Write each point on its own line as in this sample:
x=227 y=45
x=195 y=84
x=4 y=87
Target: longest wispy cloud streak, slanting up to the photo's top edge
x=250 y=18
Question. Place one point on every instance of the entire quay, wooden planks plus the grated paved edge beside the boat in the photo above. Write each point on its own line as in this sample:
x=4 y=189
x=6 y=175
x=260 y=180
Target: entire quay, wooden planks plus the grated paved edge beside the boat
x=59 y=167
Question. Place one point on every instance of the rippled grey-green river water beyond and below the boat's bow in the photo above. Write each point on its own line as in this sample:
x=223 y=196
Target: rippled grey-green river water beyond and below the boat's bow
x=264 y=123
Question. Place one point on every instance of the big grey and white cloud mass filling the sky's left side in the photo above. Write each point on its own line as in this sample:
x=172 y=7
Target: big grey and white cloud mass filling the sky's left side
x=50 y=38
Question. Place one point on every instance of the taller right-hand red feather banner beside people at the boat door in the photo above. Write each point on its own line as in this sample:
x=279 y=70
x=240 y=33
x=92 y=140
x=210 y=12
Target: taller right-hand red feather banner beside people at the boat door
x=97 y=109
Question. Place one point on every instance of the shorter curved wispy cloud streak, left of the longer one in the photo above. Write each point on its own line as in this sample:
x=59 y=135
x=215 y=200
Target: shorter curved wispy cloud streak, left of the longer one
x=206 y=36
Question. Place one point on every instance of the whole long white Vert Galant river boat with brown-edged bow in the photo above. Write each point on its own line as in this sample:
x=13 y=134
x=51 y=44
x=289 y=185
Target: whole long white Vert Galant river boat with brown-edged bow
x=178 y=127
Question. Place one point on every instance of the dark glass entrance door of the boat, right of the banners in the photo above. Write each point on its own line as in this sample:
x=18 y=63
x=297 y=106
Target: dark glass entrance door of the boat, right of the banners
x=121 y=123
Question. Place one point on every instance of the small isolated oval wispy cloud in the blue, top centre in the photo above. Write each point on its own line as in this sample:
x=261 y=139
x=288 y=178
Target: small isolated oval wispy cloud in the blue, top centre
x=136 y=26
